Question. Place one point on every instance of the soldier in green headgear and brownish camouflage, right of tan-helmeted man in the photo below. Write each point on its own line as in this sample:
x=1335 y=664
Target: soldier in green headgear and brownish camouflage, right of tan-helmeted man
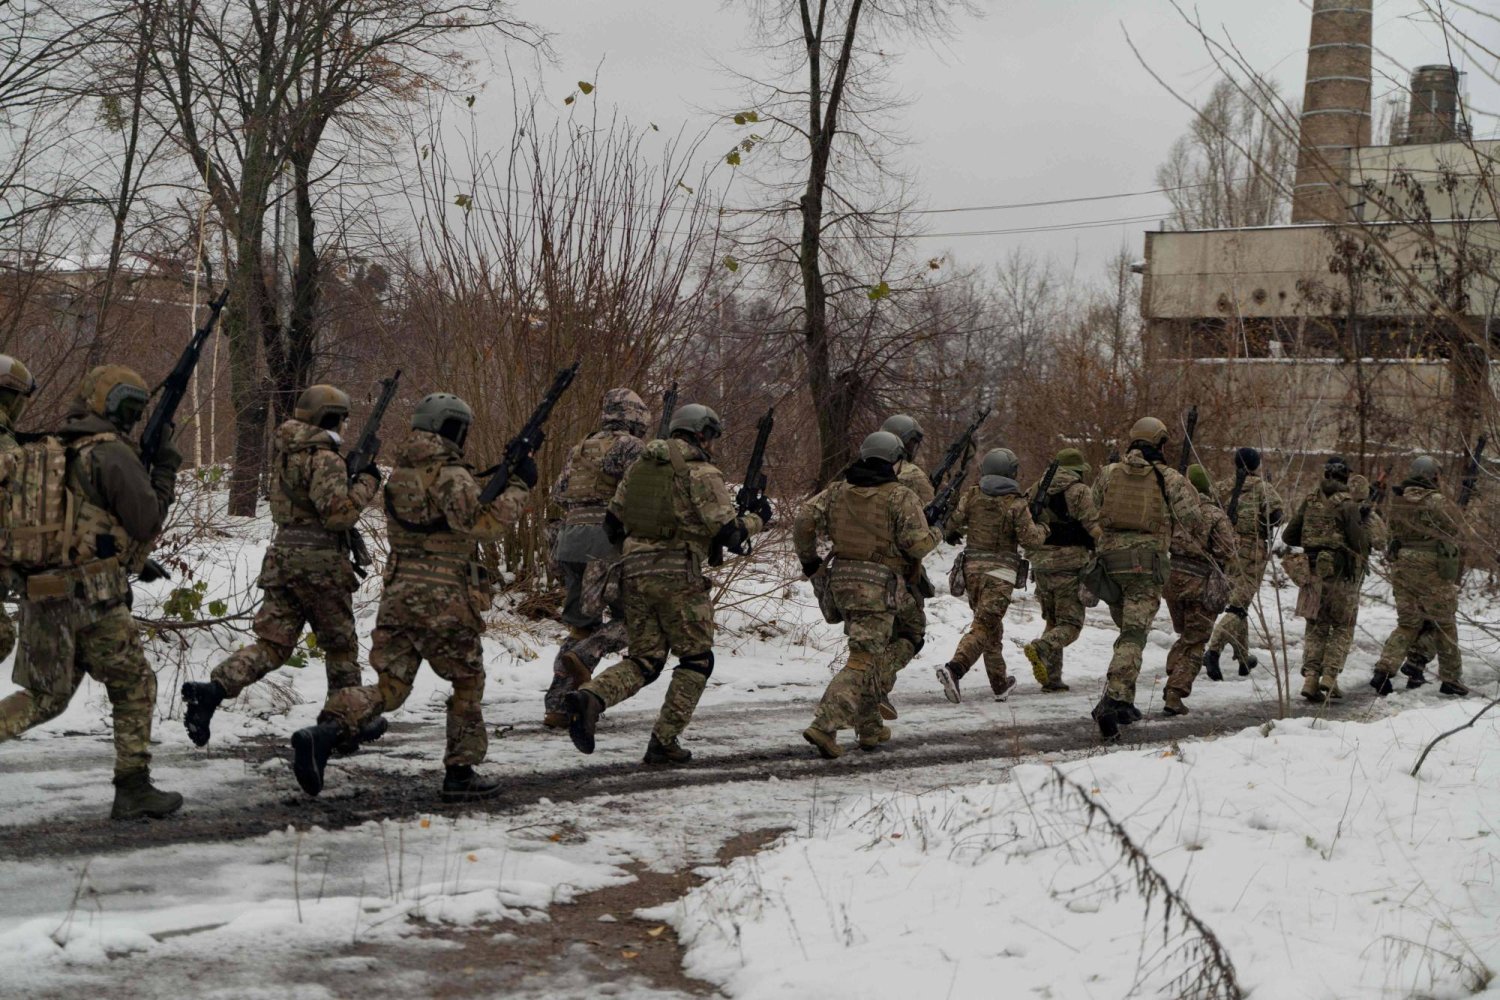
x=1196 y=590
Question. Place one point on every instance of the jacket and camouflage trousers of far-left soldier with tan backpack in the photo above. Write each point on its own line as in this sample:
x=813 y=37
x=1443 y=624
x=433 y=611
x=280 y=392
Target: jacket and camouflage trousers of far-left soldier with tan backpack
x=76 y=620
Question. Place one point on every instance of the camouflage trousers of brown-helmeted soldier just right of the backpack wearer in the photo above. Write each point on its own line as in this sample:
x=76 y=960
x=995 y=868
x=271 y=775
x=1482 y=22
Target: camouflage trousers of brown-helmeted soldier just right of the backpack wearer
x=278 y=627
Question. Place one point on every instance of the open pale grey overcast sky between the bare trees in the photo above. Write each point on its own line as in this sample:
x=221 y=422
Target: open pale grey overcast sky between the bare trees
x=1039 y=100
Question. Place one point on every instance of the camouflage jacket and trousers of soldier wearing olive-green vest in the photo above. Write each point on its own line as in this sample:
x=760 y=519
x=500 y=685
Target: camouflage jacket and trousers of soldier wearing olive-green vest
x=667 y=597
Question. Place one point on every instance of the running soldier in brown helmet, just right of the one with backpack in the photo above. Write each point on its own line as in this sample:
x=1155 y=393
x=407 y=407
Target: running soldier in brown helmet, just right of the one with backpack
x=307 y=578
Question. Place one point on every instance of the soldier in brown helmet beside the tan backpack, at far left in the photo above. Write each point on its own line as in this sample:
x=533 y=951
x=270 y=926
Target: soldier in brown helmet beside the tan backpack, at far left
x=76 y=612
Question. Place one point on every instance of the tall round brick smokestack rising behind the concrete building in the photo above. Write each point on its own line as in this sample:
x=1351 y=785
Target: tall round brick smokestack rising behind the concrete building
x=1336 y=109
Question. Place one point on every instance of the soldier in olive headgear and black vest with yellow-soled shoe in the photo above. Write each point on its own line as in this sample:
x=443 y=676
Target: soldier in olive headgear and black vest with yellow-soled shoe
x=1073 y=528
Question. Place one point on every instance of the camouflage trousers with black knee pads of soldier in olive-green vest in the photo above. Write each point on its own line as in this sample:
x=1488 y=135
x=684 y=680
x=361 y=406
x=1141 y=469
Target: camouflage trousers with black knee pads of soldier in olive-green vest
x=665 y=614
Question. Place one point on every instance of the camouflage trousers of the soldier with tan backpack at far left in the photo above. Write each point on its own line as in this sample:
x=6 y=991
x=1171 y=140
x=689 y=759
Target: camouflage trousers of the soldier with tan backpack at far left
x=62 y=642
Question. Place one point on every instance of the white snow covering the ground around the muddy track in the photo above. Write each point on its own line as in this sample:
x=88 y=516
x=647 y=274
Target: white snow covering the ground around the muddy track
x=934 y=869
